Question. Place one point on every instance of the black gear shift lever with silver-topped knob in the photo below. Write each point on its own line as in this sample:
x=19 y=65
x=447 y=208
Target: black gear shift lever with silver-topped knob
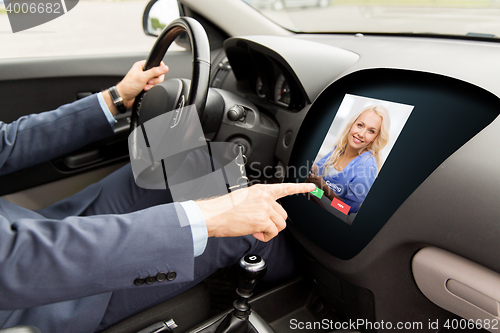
x=252 y=269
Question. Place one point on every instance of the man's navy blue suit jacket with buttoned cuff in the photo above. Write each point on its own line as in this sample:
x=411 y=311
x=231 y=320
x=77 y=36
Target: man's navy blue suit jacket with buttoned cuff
x=64 y=270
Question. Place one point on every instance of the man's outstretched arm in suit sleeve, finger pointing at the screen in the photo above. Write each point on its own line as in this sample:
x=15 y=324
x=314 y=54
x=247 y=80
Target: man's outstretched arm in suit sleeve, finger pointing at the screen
x=45 y=260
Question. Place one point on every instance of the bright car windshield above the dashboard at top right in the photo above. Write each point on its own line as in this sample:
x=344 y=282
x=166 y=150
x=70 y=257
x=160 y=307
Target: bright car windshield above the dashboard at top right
x=477 y=18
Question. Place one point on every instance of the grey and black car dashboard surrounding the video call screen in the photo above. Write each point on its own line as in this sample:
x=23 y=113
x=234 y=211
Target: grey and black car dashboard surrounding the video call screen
x=435 y=187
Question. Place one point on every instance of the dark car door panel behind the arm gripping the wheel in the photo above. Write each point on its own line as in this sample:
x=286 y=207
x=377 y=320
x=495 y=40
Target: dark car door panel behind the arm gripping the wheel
x=36 y=85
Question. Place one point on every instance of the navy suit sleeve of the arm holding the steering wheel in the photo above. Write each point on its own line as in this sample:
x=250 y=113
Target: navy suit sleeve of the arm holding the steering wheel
x=41 y=137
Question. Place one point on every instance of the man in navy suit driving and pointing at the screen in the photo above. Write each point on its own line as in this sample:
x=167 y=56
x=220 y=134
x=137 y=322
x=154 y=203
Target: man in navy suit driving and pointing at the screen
x=115 y=249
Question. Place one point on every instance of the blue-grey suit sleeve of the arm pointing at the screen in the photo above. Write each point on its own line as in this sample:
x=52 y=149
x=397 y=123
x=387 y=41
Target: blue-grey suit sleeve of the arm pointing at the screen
x=45 y=261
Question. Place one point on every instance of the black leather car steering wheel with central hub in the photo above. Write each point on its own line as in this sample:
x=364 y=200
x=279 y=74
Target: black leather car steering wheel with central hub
x=164 y=97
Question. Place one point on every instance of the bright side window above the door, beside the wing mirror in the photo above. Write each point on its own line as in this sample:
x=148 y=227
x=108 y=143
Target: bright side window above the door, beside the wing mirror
x=92 y=27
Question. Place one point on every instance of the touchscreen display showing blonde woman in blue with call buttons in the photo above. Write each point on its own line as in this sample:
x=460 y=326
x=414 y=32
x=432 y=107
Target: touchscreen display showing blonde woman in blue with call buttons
x=353 y=152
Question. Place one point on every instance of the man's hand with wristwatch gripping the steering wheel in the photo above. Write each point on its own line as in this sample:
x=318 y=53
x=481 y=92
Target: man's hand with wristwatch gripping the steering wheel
x=134 y=82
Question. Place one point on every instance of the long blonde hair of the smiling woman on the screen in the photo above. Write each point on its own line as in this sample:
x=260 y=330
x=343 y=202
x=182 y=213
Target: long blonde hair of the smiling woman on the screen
x=375 y=147
